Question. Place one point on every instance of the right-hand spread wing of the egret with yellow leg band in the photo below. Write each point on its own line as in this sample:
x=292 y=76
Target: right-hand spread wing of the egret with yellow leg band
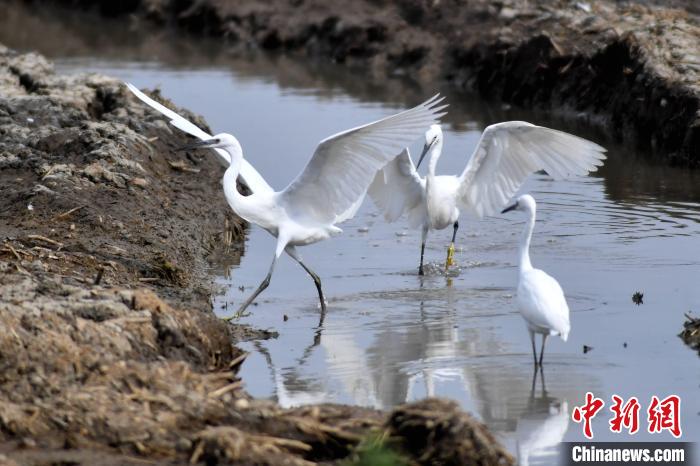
x=509 y=152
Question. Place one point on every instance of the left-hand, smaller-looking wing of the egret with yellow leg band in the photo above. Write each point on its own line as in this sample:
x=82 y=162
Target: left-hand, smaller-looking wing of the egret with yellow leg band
x=397 y=188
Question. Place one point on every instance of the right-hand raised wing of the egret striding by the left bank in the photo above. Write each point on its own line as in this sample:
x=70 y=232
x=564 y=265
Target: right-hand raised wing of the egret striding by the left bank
x=343 y=166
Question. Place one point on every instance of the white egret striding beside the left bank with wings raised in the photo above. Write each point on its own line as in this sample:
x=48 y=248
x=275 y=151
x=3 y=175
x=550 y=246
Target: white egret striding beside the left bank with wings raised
x=329 y=190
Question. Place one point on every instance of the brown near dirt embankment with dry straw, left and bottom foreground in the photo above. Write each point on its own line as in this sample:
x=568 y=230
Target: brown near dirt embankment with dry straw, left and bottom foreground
x=98 y=218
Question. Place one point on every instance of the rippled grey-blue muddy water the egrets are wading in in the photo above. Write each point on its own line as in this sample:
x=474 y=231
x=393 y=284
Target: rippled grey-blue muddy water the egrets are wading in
x=389 y=335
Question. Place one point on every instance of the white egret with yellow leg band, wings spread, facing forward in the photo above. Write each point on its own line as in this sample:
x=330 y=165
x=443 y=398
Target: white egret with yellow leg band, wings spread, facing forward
x=505 y=156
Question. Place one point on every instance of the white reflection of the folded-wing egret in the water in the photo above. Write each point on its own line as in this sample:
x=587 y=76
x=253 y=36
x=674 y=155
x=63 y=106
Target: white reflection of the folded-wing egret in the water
x=542 y=426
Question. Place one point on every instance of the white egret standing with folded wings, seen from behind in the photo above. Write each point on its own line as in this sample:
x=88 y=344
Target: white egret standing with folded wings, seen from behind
x=540 y=299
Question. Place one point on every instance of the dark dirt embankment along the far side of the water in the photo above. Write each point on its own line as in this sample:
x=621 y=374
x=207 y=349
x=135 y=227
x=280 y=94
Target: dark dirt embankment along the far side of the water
x=629 y=68
